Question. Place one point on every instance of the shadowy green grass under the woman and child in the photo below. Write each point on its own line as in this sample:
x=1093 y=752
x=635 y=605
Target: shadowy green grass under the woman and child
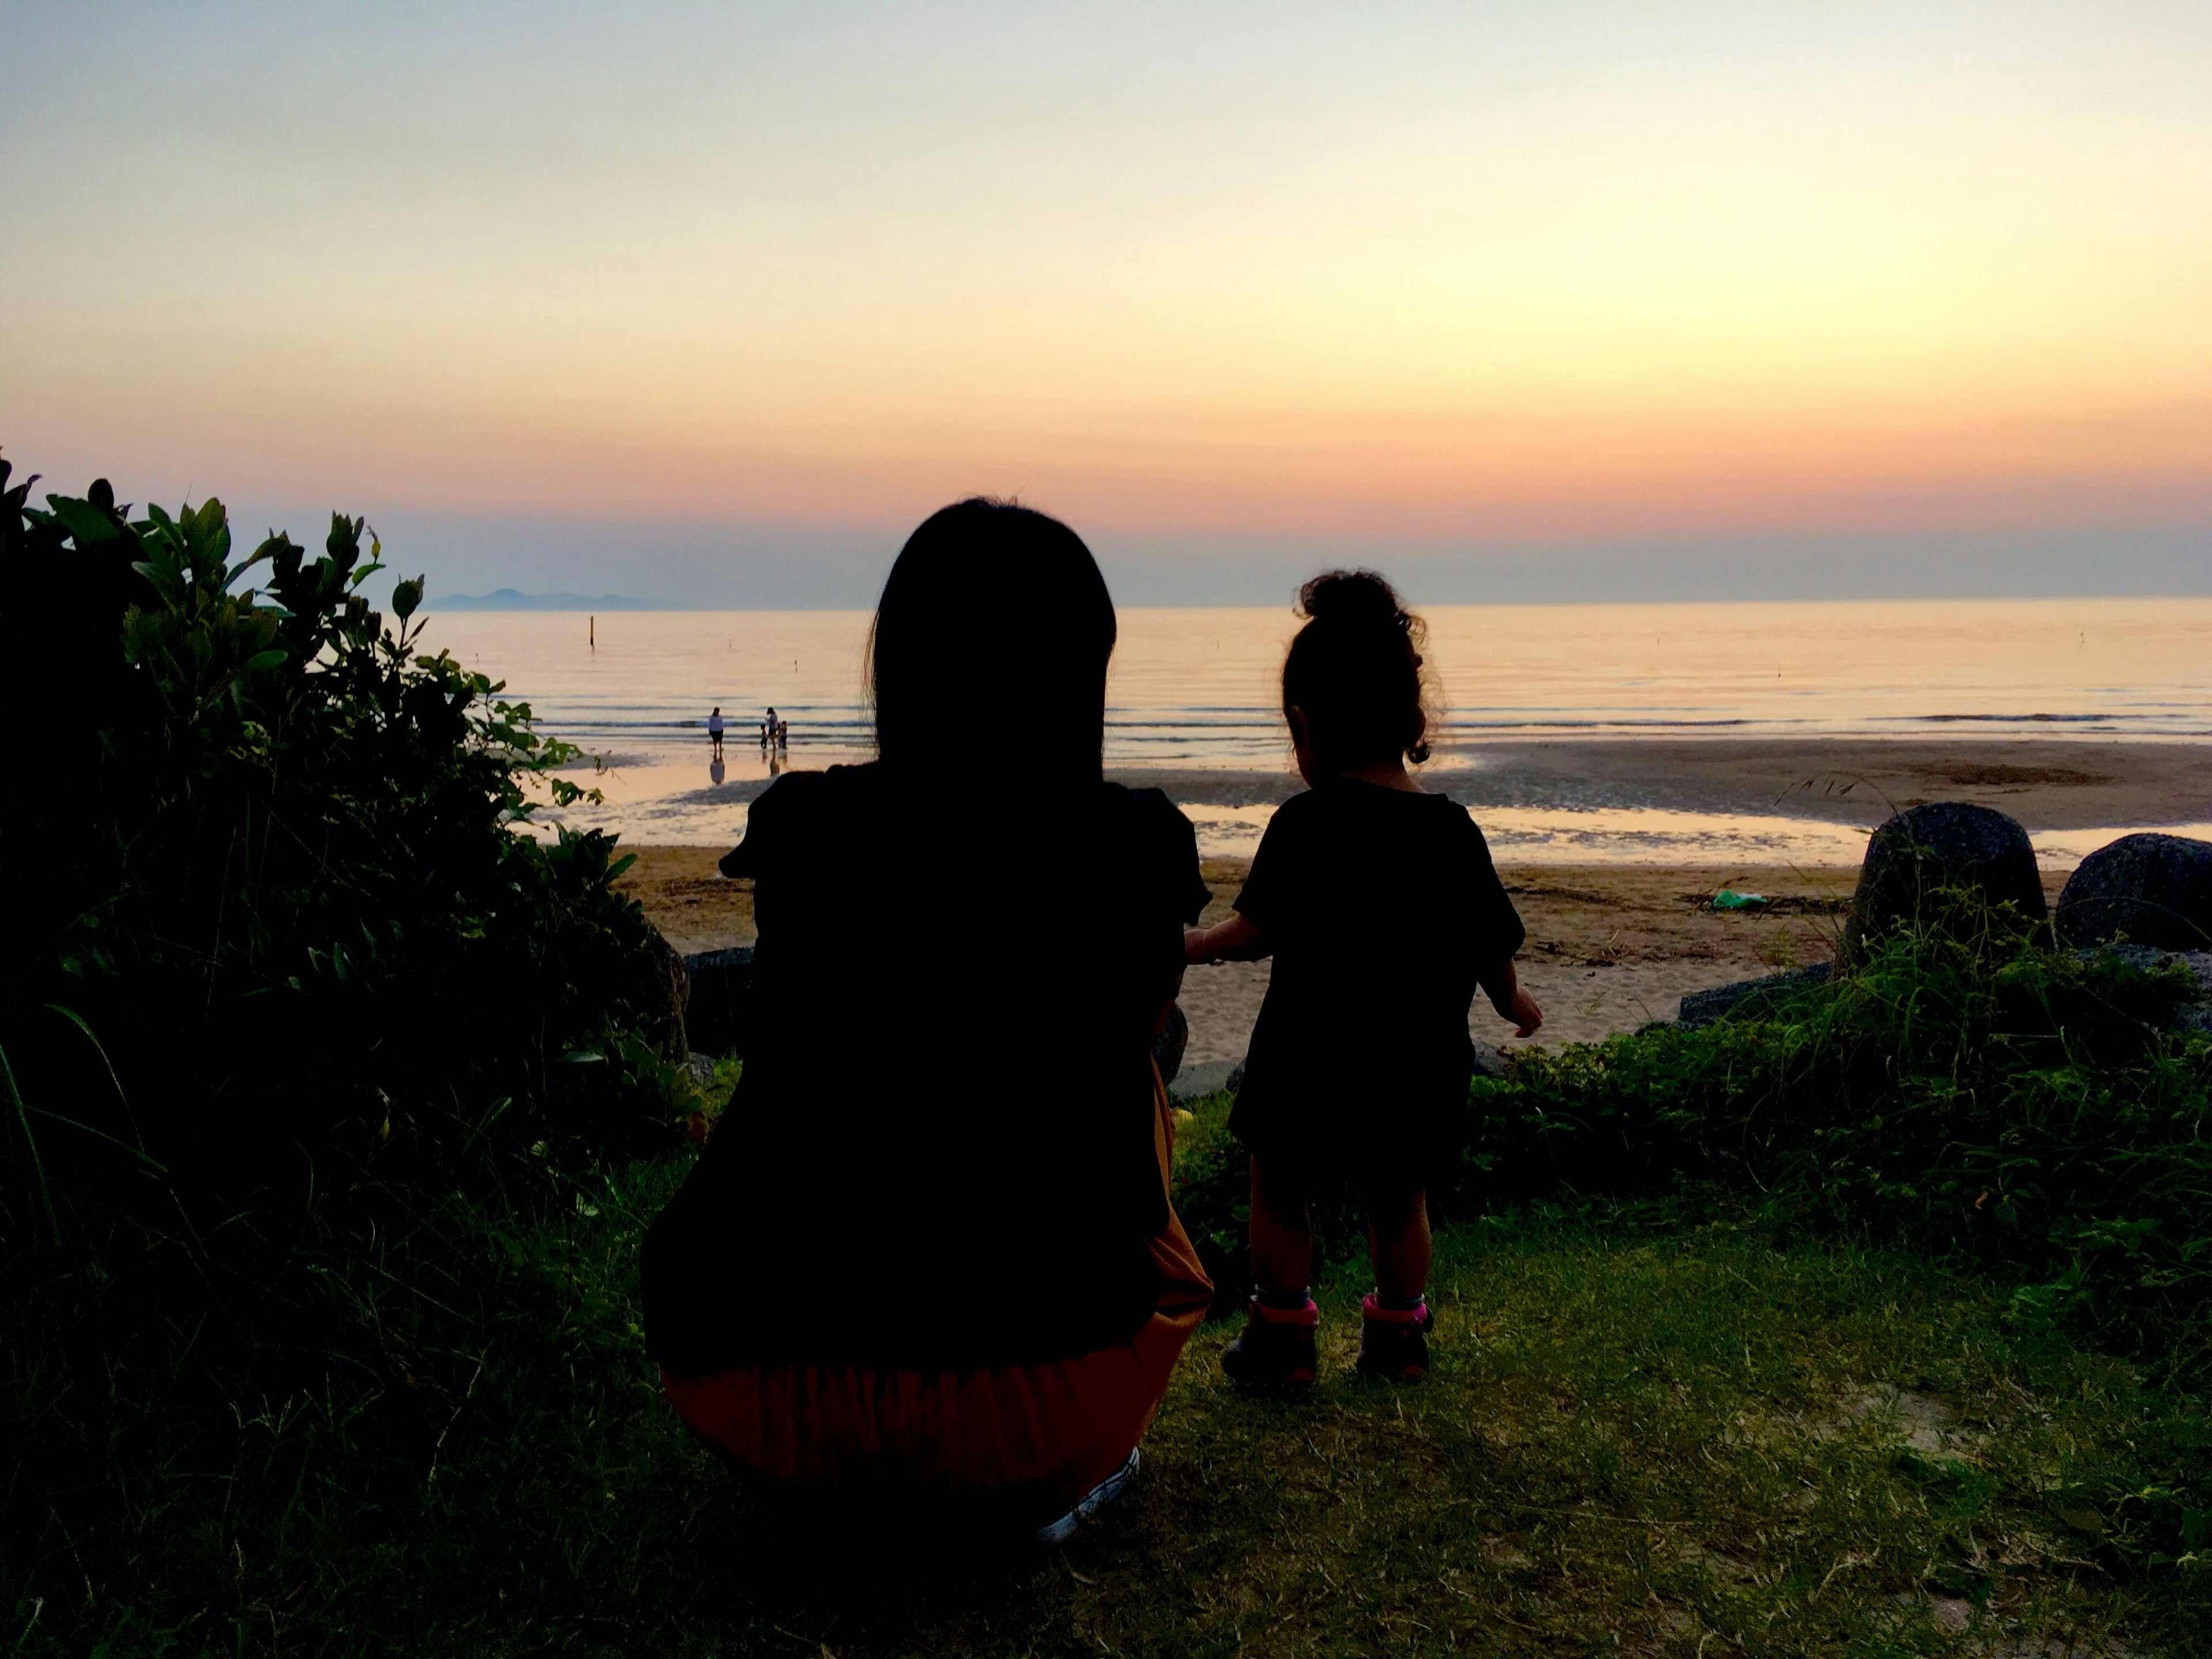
x=1640 y=1437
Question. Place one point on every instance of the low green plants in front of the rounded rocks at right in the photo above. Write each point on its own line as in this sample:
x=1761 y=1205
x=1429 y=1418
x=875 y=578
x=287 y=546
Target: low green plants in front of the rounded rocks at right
x=1965 y=1089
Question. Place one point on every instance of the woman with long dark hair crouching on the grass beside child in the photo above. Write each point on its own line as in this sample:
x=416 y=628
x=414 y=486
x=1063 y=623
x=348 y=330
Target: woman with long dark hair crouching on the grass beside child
x=888 y=1282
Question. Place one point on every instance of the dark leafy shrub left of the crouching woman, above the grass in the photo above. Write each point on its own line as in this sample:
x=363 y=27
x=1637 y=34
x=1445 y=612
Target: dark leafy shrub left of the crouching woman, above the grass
x=271 y=848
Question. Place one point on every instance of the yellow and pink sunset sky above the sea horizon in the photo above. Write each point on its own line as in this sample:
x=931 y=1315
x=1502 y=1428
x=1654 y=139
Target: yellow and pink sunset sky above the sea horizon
x=711 y=304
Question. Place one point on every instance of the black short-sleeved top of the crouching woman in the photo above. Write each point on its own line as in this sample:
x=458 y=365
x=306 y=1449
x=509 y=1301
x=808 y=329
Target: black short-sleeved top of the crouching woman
x=941 y=1149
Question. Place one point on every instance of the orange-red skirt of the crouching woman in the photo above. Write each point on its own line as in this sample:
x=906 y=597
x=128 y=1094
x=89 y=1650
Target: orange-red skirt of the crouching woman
x=1025 y=1432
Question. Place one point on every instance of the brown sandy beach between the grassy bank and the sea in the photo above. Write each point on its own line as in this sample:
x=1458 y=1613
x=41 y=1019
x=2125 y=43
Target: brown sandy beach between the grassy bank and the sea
x=1614 y=946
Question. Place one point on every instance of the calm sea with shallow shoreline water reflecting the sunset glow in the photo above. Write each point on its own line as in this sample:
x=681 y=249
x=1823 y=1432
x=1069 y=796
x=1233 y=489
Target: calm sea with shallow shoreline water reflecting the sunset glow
x=1193 y=693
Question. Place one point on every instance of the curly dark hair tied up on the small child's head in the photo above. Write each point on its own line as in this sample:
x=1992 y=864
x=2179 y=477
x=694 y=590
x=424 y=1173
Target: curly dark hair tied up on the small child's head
x=1355 y=674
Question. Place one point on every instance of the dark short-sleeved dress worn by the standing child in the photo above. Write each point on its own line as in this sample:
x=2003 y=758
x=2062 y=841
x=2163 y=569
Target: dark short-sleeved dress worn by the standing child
x=1384 y=912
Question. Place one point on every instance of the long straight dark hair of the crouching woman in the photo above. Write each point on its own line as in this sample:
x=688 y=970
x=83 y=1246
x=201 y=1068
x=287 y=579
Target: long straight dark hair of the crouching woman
x=994 y=629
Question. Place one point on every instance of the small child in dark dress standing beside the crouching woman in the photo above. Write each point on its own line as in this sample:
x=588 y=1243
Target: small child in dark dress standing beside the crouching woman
x=1384 y=915
